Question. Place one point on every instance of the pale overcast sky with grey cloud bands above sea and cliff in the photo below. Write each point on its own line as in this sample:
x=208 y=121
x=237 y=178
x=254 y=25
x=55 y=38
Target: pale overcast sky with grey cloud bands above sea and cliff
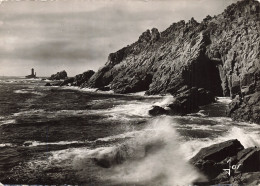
x=78 y=35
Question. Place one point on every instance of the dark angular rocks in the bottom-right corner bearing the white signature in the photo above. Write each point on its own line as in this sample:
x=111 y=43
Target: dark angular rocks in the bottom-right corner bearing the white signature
x=213 y=159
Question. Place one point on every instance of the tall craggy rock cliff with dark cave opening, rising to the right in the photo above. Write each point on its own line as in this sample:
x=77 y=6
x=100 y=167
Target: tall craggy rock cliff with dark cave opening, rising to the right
x=220 y=54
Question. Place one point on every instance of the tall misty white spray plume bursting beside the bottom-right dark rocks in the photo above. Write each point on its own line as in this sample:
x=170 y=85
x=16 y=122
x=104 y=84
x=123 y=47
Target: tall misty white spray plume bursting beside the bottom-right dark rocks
x=153 y=158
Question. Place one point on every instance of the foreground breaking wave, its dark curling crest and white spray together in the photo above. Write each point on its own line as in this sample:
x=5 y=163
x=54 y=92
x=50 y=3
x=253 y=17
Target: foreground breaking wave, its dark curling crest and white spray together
x=152 y=154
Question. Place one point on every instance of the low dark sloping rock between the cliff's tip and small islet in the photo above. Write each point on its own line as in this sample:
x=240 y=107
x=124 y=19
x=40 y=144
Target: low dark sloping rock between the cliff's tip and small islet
x=79 y=79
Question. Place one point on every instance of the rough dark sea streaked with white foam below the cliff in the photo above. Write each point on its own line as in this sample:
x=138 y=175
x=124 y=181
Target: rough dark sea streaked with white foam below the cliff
x=55 y=135
